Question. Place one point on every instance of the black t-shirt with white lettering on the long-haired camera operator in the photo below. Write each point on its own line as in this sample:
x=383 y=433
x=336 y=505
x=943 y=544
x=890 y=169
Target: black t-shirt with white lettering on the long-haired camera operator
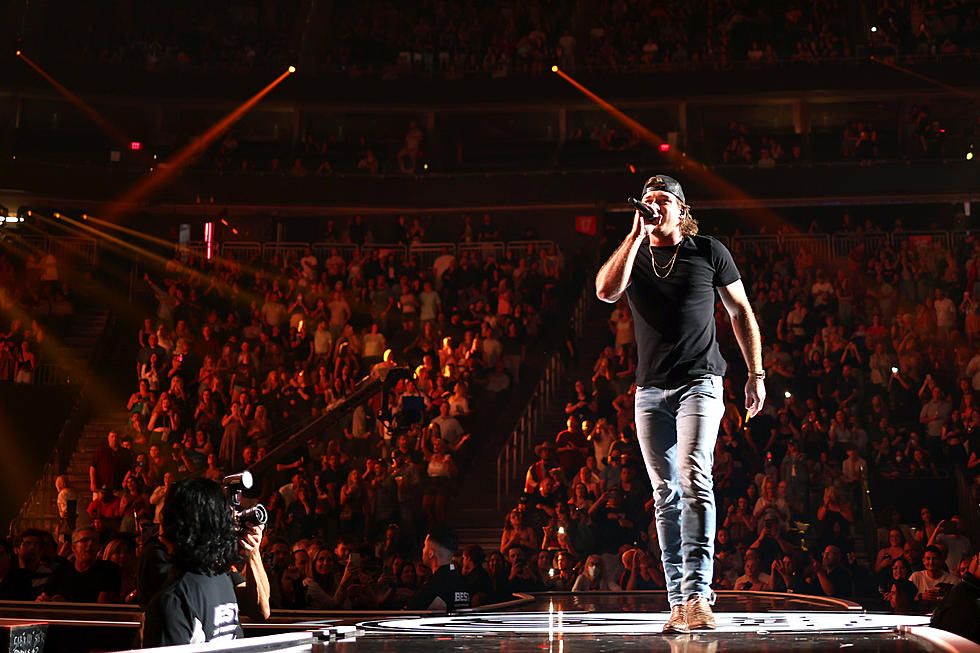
x=193 y=609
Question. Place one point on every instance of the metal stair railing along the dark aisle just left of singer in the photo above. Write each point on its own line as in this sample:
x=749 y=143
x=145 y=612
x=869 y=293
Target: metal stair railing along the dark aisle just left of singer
x=512 y=459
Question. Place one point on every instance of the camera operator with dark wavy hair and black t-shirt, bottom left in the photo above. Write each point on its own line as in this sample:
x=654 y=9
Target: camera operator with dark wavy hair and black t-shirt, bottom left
x=200 y=600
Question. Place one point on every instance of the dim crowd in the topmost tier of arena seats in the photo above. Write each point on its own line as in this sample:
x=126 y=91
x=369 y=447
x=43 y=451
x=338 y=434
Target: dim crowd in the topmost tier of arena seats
x=514 y=39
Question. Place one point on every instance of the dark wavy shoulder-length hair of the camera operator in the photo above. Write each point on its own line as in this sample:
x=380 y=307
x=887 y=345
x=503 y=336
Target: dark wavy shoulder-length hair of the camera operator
x=196 y=519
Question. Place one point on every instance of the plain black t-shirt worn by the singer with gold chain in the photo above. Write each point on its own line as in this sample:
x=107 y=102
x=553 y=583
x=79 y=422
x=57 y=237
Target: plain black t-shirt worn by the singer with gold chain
x=674 y=317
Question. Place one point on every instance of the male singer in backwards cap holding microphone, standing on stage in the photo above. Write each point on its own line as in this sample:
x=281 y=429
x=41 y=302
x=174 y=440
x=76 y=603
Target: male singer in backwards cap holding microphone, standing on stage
x=669 y=275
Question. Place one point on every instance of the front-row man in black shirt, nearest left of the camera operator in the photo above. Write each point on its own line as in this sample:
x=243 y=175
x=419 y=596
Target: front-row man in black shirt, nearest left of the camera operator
x=85 y=578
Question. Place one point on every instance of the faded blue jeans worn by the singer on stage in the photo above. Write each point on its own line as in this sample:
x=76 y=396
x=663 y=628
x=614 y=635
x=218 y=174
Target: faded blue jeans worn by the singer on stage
x=677 y=429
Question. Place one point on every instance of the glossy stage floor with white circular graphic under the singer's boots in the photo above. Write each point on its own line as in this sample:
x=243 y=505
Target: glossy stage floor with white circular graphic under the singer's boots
x=605 y=623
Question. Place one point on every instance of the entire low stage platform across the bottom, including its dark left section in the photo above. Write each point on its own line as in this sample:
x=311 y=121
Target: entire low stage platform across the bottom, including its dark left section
x=555 y=623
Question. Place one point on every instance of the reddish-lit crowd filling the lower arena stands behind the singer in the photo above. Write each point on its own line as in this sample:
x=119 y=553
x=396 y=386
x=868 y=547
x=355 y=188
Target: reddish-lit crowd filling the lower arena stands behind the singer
x=876 y=396
